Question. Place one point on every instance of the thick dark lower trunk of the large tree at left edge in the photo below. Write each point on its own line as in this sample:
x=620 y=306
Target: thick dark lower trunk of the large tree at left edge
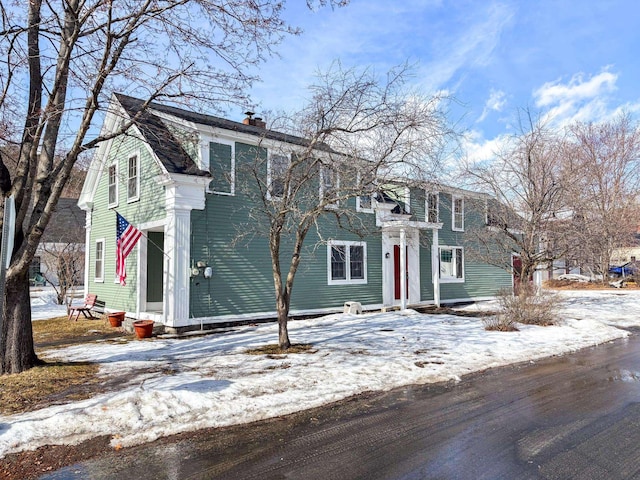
x=17 y=352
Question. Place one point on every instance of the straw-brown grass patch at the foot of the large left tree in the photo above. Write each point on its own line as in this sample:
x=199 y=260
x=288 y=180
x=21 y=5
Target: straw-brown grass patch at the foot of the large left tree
x=47 y=384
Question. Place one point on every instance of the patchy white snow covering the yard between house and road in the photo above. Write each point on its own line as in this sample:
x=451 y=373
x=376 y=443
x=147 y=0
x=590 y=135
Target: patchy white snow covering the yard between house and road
x=187 y=384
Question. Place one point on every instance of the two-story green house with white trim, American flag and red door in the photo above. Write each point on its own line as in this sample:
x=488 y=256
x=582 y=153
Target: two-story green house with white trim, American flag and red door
x=176 y=177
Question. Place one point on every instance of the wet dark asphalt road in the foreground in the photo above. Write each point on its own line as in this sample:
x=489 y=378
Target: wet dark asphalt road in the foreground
x=570 y=417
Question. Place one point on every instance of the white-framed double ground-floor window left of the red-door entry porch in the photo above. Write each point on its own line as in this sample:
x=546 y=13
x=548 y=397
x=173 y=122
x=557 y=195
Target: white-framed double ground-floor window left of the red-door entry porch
x=346 y=263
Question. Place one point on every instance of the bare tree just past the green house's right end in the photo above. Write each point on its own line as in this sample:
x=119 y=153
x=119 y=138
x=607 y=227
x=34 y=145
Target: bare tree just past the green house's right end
x=527 y=213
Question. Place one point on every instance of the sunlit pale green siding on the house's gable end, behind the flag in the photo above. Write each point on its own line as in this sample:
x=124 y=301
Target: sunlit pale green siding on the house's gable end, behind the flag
x=147 y=208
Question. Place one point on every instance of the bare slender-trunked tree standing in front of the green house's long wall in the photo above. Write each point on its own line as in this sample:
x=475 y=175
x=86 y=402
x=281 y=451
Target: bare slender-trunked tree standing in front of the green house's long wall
x=356 y=135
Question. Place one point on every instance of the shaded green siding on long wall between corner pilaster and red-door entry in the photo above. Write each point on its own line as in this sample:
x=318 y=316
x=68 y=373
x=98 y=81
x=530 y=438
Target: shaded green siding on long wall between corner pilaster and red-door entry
x=242 y=279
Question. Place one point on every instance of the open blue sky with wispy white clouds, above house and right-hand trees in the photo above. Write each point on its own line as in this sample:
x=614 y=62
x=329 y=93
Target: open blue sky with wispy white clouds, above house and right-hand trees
x=574 y=60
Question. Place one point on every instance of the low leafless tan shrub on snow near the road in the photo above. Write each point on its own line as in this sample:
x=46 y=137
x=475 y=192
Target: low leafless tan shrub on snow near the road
x=528 y=306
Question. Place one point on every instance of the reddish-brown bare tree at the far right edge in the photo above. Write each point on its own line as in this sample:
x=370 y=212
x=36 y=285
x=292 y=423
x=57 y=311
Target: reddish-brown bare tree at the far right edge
x=605 y=194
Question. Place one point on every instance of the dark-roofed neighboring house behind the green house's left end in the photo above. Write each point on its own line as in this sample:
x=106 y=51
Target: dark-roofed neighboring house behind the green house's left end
x=62 y=245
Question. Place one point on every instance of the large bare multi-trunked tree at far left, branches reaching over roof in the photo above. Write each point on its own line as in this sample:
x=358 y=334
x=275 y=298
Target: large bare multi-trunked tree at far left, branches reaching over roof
x=66 y=58
